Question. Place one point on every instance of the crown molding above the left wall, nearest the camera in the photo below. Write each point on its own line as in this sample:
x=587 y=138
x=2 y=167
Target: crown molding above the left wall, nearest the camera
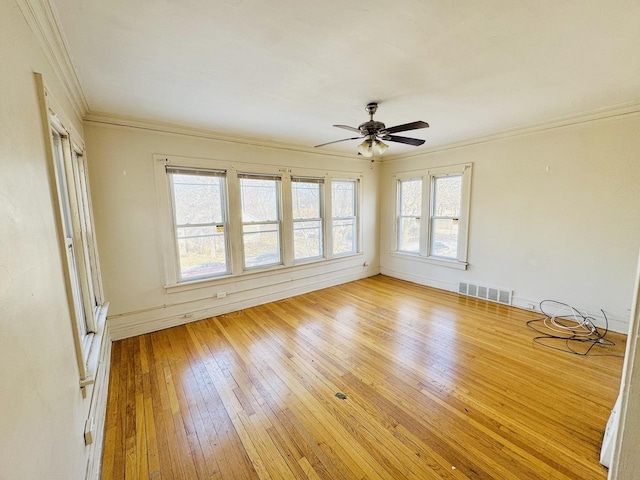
x=42 y=20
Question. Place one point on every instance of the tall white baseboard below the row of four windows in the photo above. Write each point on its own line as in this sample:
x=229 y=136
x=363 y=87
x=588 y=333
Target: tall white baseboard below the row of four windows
x=151 y=320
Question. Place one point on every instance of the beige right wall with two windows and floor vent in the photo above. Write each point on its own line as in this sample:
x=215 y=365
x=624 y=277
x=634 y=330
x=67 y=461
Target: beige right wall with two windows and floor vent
x=553 y=216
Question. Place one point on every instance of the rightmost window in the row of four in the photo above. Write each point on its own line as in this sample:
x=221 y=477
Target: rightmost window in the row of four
x=344 y=220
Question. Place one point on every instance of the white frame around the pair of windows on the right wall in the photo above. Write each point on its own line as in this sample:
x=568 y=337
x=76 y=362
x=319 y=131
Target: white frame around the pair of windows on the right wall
x=426 y=227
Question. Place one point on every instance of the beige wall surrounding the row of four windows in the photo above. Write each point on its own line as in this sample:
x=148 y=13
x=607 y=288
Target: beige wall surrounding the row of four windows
x=128 y=220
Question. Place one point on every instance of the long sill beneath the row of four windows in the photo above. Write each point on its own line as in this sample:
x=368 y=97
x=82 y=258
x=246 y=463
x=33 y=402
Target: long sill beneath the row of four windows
x=262 y=272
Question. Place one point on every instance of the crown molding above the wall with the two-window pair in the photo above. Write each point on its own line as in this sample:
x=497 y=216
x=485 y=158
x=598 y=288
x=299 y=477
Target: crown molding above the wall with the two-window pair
x=621 y=110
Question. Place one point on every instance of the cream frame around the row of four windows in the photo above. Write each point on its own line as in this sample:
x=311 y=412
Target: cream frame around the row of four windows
x=234 y=217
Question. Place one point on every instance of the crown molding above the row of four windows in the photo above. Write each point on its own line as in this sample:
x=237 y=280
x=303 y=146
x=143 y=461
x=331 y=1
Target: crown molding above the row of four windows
x=160 y=127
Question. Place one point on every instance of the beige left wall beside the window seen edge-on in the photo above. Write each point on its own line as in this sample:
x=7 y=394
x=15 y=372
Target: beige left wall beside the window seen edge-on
x=42 y=409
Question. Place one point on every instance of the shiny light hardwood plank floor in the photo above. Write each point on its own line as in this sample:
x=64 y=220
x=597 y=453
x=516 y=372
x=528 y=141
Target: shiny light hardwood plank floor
x=437 y=385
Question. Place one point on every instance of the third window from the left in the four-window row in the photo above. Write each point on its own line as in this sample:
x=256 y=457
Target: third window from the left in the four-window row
x=307 y=208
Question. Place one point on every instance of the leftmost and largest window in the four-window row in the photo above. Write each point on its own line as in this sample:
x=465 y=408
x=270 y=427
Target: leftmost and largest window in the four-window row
x=200 y=224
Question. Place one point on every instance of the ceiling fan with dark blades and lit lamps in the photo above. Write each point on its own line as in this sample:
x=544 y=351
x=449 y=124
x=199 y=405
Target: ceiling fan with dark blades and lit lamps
x=374 y=133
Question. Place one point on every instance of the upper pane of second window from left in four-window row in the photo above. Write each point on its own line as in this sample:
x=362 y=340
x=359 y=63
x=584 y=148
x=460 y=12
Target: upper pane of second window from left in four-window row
x=259 y=200
